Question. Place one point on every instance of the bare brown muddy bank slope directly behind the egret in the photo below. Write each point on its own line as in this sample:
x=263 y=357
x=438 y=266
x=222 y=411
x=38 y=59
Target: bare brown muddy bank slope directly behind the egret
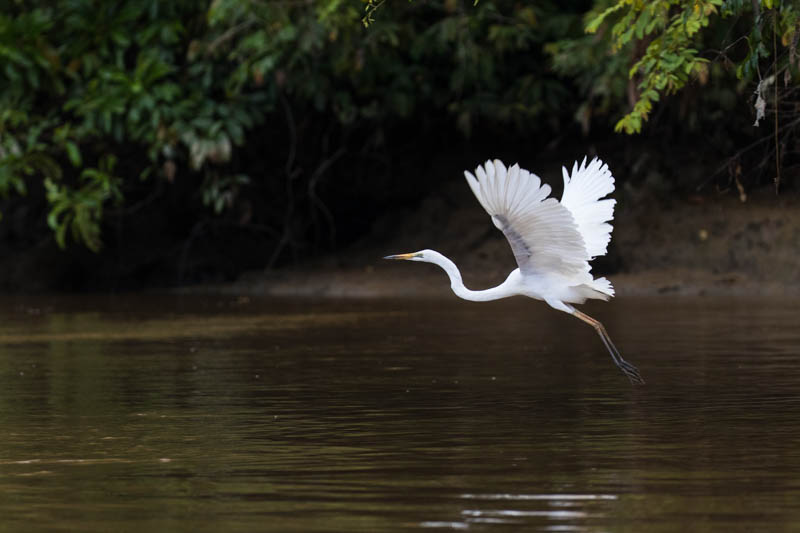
x=698 y=245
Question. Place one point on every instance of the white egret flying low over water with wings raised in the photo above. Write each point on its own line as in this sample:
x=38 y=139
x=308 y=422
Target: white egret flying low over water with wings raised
x=552 y=241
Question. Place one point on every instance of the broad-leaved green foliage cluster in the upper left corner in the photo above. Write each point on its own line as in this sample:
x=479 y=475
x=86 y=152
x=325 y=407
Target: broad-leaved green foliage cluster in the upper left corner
x=69 y=95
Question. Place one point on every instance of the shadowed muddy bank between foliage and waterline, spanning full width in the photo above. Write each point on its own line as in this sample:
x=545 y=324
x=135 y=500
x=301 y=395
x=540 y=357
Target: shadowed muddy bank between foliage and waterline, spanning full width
x=665 y=242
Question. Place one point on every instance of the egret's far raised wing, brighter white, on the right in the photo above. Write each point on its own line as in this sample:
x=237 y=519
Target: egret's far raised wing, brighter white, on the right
x=583 y=190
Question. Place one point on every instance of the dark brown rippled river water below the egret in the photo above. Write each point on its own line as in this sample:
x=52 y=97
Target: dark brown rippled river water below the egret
x=225 y=414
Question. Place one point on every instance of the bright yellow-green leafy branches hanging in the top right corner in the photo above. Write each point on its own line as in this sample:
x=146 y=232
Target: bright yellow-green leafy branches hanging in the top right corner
x=663 y=42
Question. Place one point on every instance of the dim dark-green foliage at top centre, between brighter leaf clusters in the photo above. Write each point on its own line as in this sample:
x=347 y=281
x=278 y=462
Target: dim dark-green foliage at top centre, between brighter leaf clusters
x=482 y=61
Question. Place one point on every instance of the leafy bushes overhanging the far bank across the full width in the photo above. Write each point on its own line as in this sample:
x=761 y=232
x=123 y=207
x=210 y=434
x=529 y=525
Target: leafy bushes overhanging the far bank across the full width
x=257 y=105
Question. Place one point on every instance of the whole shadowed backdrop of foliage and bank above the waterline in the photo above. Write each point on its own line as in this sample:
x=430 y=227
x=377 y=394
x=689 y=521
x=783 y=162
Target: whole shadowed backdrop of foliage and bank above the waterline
x=145 y=144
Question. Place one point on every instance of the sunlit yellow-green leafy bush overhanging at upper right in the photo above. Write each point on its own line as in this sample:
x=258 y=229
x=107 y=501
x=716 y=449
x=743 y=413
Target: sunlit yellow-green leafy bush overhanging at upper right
x=668 y=34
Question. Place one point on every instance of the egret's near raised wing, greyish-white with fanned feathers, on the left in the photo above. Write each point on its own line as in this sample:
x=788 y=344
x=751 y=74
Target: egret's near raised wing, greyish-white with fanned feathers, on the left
x=542 y=232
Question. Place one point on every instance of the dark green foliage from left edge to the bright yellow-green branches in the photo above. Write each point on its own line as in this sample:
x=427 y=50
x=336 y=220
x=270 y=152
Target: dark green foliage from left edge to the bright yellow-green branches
x=174 y=88
